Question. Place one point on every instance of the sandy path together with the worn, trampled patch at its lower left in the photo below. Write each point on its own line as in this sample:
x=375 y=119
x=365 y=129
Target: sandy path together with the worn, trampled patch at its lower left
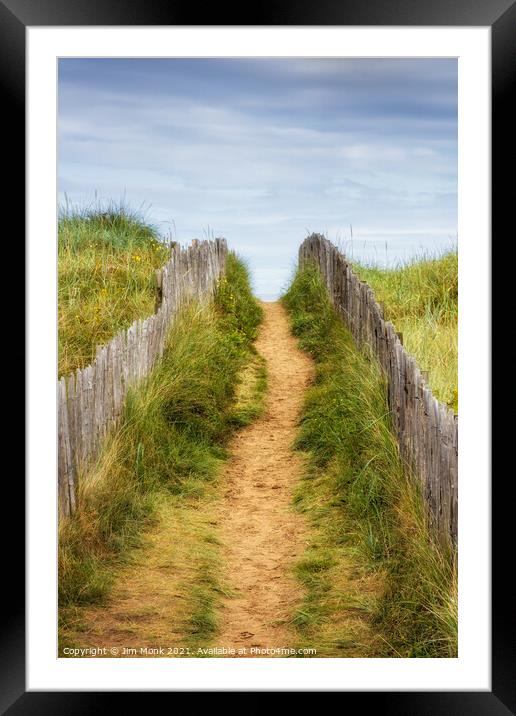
x=249 y=510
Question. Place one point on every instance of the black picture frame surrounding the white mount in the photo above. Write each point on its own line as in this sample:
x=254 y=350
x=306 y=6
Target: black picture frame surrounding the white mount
x=500 y=15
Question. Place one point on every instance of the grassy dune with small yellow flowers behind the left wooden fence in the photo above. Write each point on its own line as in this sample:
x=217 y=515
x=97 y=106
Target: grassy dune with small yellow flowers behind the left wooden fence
x=107 y=257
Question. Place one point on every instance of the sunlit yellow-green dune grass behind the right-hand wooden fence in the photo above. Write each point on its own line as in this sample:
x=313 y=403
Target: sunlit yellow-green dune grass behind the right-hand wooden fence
x=421 y=300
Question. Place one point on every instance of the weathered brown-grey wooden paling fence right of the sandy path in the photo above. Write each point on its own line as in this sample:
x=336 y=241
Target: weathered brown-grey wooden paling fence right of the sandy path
x=427 y=430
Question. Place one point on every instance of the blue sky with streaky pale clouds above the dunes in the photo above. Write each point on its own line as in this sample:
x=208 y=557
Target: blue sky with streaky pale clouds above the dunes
x=262 y=151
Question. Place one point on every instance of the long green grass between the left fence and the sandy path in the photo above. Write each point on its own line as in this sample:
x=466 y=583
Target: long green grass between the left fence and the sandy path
x=167 y=452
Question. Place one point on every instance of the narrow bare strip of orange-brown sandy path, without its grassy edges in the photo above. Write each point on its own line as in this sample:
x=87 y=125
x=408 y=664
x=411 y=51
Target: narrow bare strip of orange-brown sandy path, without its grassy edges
x=262 y=535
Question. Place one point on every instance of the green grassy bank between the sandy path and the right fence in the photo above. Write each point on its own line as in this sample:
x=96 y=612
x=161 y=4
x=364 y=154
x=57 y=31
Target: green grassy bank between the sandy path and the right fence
x=368 y=520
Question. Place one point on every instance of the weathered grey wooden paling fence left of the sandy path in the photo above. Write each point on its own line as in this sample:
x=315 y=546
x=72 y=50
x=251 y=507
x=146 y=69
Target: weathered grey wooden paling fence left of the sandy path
x=90 y=400
